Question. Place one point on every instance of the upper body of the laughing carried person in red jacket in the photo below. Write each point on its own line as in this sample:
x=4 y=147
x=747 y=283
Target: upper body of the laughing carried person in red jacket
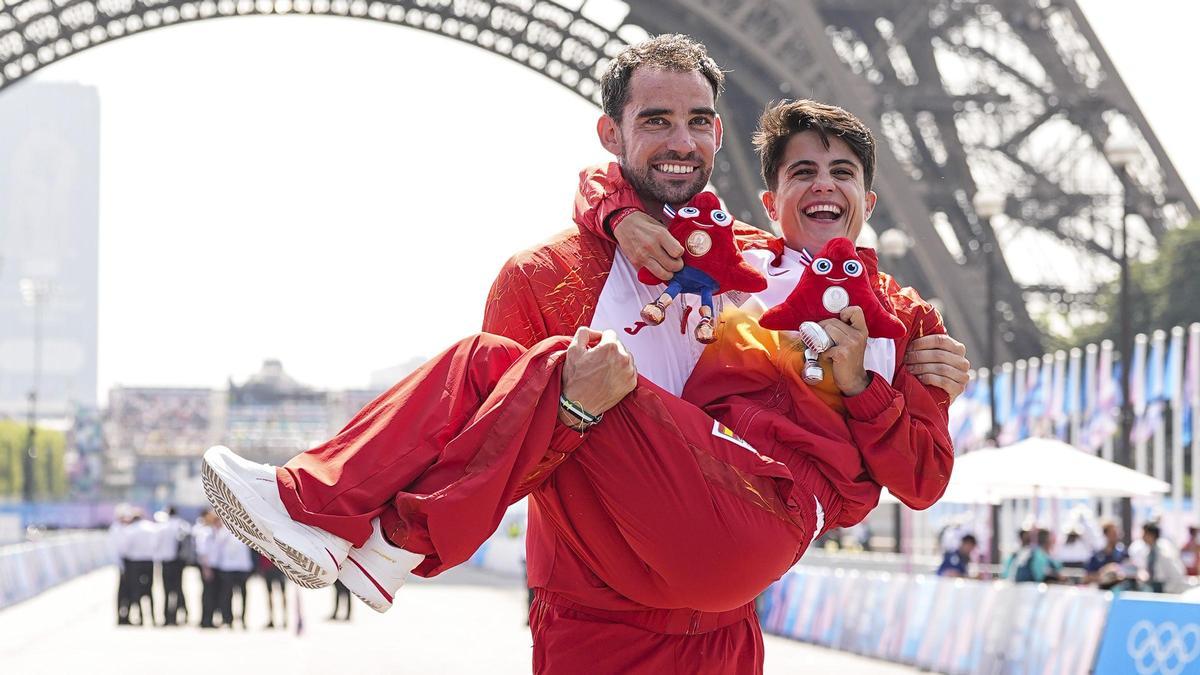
x=889 y=398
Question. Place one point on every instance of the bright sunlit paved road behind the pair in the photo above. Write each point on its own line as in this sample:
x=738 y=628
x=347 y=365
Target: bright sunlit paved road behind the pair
x=466 y=622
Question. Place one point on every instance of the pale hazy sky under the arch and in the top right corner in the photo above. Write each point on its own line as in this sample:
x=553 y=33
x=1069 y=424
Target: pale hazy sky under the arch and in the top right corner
x=340 y=194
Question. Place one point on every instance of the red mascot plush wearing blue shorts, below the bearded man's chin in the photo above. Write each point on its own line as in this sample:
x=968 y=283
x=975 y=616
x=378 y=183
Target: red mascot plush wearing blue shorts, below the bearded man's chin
x=712 y=264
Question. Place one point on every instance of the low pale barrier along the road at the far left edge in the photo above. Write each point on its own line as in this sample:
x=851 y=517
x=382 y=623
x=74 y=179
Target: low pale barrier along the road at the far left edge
x=28 y=570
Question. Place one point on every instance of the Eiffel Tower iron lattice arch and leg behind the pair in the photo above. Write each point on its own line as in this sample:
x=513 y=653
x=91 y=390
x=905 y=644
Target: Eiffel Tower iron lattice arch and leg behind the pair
x=1015 y=97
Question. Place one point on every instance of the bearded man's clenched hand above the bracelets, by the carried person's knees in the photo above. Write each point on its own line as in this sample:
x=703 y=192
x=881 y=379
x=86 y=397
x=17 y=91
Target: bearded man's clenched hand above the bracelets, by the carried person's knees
x=598 y=372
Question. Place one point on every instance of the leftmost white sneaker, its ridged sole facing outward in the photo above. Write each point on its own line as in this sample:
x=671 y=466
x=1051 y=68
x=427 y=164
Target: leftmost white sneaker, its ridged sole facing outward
x=247 y=497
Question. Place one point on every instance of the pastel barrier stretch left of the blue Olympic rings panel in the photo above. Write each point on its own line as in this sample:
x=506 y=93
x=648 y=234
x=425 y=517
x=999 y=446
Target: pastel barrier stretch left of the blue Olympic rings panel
x=938 y=624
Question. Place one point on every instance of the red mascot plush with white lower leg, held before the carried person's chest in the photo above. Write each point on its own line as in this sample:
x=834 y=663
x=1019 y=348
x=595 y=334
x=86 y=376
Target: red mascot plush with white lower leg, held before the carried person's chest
x=837 y=279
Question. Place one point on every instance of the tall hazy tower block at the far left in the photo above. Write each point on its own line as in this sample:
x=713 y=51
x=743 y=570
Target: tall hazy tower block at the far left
x=50 y=186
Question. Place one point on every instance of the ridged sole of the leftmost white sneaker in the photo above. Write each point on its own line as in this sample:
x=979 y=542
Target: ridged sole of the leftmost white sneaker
x=301 y=569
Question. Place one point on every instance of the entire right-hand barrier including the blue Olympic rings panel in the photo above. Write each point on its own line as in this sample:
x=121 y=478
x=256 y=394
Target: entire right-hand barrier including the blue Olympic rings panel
x=962 y=626
